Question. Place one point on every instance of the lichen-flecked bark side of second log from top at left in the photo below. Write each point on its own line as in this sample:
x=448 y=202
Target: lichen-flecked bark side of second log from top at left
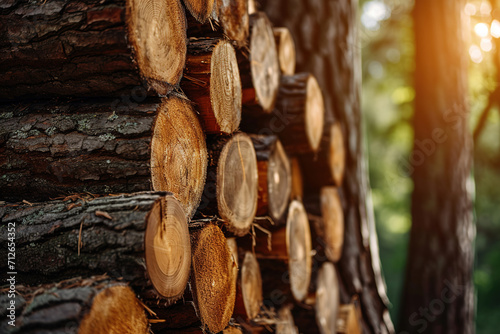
x=54 y=149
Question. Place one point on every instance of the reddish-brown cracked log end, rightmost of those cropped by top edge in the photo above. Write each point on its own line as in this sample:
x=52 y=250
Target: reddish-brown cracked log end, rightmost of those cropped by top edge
x=234 y=18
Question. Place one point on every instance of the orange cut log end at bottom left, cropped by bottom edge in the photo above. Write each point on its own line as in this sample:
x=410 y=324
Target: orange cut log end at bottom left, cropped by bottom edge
x=115 y=310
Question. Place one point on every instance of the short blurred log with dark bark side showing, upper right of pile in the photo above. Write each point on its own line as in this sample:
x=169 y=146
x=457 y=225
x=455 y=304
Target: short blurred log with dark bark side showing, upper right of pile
x=298 y=117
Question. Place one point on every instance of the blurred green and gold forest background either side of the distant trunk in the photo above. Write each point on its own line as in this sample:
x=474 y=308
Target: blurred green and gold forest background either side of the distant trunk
x=388 y=95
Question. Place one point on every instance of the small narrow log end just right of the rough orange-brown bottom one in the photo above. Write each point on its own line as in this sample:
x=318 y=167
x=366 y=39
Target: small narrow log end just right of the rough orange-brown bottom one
x=249 y=290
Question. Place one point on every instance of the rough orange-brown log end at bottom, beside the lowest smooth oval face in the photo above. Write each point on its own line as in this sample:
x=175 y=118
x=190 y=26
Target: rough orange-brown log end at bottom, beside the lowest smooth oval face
x=212 y=280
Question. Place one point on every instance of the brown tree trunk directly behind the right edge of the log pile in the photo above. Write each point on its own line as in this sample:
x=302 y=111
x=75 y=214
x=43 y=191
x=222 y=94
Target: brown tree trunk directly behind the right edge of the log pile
x=327 y=46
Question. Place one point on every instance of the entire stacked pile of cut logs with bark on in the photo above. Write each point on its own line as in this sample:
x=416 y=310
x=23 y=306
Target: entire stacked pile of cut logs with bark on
x=165 y=170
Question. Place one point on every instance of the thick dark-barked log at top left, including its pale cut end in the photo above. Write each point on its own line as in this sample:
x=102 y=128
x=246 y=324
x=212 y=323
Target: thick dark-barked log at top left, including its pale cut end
x=89 y=48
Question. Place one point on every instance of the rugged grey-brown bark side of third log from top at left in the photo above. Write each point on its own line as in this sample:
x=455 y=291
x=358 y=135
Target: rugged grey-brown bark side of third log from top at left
x=63 y=239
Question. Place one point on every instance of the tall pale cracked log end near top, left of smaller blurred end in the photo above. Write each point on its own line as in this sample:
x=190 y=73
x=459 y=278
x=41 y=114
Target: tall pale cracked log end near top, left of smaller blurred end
x=264 y=61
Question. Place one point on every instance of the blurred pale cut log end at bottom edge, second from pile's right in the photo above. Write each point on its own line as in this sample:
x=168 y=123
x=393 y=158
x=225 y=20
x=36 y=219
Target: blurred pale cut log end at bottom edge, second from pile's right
x=327 y=299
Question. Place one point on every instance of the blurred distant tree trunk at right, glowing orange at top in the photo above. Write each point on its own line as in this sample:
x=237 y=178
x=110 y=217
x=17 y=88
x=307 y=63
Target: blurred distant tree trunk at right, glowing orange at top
x=438 y=295
